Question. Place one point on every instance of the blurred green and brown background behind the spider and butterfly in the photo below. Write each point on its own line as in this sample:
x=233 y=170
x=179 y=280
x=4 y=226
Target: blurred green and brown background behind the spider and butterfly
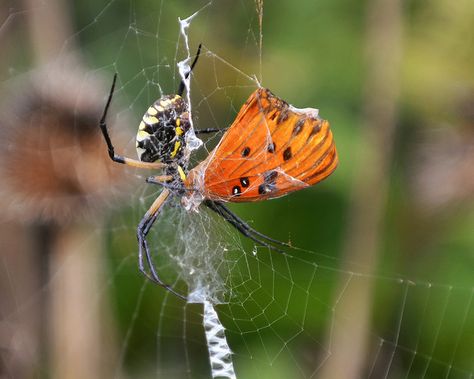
x=380 y=283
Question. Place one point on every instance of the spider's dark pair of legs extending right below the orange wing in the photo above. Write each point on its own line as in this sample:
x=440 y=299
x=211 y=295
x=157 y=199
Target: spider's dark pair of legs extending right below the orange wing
x=243 y=227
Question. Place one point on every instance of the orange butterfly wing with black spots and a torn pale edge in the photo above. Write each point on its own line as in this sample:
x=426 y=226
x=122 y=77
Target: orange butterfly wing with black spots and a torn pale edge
x=270 y=149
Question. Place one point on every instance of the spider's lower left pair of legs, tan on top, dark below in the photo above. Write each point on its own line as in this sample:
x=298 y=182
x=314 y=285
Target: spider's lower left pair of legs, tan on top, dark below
x=143 y=250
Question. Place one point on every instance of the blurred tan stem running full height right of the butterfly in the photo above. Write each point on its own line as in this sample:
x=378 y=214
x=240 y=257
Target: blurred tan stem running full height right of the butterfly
x=348 y=338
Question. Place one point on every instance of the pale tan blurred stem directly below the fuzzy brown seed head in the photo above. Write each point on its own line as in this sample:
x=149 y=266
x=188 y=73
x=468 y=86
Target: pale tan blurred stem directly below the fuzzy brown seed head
x=75 y=307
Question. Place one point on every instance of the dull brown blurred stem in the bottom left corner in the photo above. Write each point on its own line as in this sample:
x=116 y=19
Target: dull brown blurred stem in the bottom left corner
x=21 y=305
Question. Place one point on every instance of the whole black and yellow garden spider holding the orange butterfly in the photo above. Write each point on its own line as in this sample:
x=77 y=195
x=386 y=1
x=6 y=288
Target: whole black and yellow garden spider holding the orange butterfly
x=161 y=144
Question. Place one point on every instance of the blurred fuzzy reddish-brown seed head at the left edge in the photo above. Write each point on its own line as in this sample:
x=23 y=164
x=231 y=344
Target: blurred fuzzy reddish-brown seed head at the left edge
x=53 y=165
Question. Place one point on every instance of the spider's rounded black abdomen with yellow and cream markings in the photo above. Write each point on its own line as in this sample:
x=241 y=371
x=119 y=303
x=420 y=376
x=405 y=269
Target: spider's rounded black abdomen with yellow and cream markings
x=161 y=133
